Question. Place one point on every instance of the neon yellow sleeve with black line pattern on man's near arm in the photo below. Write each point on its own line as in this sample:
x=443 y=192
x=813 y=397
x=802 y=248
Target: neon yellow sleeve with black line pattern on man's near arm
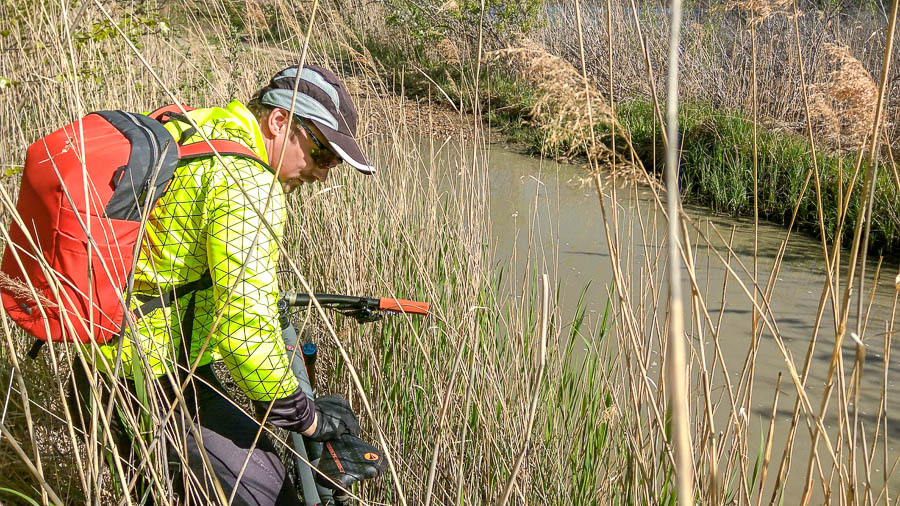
x=242 y=250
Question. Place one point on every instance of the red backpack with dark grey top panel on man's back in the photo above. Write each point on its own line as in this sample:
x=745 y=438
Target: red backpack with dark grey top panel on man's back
x=86 y=189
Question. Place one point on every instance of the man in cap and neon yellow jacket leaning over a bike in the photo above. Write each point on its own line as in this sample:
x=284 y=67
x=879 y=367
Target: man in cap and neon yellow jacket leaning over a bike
x=223 y=222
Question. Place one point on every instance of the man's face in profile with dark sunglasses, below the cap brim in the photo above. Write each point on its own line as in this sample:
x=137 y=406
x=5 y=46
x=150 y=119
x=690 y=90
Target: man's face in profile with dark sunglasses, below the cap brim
x=296 y=152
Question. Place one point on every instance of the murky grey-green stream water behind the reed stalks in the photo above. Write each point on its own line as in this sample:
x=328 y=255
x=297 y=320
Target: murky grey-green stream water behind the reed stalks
x=541 y=212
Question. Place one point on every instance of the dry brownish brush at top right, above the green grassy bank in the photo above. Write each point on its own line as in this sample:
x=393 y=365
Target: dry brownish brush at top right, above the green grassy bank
x=839 y=48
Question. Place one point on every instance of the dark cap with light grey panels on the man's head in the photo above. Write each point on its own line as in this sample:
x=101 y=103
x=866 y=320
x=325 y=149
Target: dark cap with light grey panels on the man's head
x=323 y=100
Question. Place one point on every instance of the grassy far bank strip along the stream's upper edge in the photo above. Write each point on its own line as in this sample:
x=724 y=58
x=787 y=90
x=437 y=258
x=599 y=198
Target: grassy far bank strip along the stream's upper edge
x=717 y=146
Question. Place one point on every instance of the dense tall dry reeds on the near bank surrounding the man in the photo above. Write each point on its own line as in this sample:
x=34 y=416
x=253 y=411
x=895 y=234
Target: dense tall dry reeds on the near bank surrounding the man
x=456 y=385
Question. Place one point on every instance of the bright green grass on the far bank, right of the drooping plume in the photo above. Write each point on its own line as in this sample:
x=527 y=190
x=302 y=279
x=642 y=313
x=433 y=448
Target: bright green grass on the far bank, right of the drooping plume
x=717 y=171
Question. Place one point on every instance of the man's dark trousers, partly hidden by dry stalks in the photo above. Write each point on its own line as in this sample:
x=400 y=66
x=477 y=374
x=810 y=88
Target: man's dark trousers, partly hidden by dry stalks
x=226 y=433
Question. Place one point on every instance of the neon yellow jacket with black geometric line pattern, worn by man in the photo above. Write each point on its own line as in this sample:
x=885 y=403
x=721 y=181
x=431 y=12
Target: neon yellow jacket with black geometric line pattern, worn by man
x=226 y=219
